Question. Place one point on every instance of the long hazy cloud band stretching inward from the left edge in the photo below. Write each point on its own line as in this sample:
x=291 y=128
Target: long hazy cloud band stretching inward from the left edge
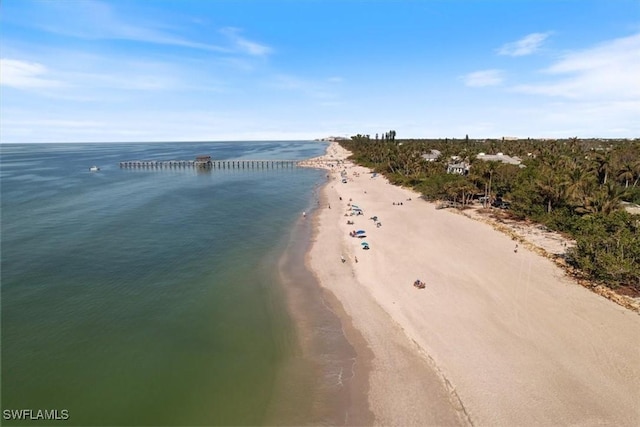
x=84 y=77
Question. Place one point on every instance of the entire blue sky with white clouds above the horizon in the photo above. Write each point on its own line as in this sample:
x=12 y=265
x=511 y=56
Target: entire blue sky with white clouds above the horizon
x=89 y=70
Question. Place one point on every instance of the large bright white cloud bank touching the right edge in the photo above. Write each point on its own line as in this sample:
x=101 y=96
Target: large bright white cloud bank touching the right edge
x=606 y=71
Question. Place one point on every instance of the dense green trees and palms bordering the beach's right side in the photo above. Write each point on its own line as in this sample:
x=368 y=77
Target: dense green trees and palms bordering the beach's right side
x=574 y=186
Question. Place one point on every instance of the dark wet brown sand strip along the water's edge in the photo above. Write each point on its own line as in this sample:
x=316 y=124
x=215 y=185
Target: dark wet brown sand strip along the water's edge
x=324 y=381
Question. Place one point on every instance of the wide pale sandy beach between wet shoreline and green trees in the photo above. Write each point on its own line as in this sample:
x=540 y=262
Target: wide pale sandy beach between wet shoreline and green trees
x=497 y=336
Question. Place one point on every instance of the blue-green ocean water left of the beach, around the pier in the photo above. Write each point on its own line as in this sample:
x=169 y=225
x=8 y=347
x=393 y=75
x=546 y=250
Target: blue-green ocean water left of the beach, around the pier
x=146 y=297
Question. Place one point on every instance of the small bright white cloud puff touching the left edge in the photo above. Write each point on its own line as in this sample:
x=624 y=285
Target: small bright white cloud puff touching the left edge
x=25 y=75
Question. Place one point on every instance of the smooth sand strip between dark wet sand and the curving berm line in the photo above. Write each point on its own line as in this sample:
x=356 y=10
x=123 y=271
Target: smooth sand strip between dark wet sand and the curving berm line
x=405 y=387
